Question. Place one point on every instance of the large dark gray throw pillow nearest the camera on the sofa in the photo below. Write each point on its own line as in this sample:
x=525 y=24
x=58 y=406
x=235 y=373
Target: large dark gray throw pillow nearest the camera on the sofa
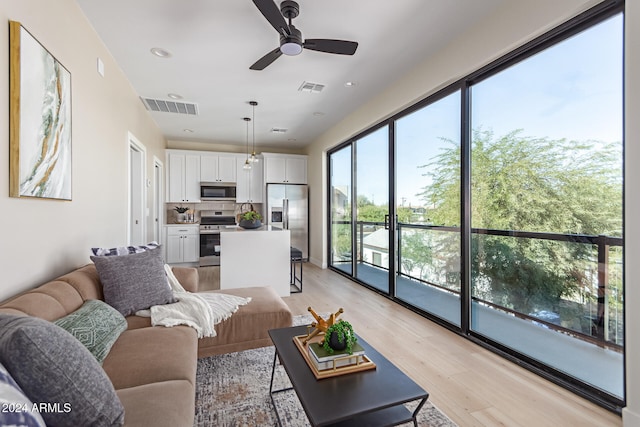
x=55 y=370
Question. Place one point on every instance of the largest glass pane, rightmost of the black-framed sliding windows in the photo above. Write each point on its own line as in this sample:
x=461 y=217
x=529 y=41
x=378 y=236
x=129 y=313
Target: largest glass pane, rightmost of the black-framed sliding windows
x=546 y=190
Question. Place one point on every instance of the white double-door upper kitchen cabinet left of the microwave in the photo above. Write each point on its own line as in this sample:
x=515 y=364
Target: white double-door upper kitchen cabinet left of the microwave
x=183 y=177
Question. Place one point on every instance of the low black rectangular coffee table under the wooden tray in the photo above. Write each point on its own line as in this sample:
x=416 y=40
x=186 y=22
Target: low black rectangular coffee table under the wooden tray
x=369 y=398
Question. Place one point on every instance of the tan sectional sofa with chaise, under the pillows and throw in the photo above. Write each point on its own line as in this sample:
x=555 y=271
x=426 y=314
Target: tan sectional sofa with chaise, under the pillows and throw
x=153 y=369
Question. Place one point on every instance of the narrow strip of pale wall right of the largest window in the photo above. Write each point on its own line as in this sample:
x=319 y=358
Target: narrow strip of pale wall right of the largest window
x=631 y=414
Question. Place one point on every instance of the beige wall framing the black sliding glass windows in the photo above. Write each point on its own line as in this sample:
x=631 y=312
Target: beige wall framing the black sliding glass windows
x=516 y=23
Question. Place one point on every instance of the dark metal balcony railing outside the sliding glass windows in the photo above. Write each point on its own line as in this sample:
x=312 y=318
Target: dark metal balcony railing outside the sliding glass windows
x=600 y=323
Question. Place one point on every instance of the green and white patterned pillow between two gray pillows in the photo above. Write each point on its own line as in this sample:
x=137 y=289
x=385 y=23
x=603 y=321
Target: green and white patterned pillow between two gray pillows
x=96 y=325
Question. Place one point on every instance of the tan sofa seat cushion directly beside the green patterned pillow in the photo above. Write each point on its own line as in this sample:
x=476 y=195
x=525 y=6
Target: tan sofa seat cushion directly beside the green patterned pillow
x=148 y=355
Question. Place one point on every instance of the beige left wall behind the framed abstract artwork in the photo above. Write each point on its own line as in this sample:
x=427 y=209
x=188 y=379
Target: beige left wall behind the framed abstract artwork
x=40 y=239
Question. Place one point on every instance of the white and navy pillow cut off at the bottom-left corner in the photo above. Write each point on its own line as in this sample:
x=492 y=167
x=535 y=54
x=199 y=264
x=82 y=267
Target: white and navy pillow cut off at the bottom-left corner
x=17 y=409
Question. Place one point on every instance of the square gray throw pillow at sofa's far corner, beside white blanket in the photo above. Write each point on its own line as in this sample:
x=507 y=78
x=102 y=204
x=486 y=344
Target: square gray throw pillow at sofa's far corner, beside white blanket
x=134 y=282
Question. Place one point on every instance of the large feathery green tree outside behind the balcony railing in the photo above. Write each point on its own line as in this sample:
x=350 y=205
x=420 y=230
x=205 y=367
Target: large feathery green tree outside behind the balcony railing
x=529 y=184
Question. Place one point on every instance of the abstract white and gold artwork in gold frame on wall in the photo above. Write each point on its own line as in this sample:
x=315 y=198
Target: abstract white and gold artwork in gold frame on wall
x=40 y=120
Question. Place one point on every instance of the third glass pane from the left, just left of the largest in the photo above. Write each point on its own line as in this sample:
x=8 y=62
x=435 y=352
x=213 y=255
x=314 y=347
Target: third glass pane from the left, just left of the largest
x=428 y=208
